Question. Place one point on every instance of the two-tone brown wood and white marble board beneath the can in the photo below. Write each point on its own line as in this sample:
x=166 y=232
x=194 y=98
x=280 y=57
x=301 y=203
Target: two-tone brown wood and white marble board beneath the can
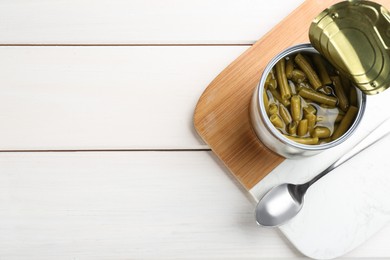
x=334 y=220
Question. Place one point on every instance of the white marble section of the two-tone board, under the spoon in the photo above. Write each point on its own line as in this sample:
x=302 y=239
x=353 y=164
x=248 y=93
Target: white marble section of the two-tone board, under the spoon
x=349 y=205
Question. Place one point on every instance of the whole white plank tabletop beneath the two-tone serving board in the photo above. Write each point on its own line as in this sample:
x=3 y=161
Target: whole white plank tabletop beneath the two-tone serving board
x=99 y=158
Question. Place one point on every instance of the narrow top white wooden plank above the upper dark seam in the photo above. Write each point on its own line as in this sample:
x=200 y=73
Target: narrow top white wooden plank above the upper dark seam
x=139 y=22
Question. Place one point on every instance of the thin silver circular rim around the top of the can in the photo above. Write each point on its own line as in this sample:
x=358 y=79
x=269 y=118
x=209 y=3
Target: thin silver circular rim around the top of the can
x=264 y=117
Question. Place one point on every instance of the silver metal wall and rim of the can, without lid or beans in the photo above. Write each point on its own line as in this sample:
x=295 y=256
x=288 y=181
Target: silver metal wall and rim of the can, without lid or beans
x=271 y=137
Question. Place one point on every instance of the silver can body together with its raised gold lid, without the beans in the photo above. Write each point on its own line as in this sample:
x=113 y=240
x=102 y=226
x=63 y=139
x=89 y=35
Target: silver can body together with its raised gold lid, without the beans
x=354 y=38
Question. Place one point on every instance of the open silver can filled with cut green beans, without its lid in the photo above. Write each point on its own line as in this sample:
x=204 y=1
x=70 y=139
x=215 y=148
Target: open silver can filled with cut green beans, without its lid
x=307 y=108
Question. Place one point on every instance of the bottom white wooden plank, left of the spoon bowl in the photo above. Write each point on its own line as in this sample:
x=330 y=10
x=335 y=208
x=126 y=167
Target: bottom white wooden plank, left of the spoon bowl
x=127 y=205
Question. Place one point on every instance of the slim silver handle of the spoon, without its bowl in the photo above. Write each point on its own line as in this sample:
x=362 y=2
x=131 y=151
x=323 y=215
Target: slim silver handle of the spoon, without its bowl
x=379 y=132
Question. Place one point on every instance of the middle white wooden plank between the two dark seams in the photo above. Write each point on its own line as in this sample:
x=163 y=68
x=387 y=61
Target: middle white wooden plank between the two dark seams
x=72 y=98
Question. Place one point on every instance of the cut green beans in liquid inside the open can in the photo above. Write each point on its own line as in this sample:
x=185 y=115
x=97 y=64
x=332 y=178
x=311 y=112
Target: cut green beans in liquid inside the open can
x=313 y=89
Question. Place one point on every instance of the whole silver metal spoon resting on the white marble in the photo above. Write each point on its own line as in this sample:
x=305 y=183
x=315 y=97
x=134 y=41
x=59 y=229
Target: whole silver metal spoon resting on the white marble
x=283 y=202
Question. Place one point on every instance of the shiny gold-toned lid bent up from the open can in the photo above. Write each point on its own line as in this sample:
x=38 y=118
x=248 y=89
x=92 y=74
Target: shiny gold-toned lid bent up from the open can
x=354 y=36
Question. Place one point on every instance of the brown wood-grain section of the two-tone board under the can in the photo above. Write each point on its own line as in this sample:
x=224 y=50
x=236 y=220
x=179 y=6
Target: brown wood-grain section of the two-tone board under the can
x=221 y=116
